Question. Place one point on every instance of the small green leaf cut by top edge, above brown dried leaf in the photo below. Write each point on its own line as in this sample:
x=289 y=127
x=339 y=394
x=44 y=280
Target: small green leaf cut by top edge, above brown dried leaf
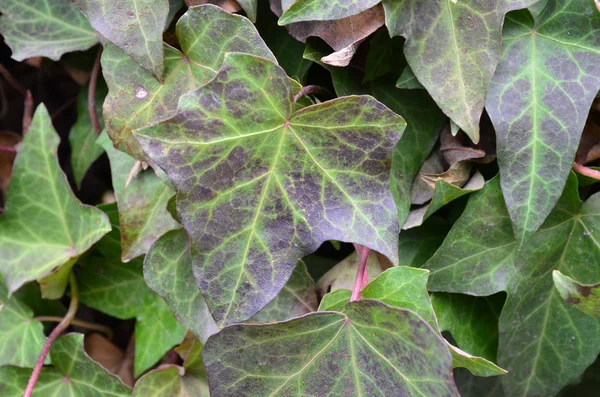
x=324 y=10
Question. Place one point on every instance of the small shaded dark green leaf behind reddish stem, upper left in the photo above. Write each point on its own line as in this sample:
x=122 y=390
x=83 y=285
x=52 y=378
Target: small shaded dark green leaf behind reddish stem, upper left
x=82 y=136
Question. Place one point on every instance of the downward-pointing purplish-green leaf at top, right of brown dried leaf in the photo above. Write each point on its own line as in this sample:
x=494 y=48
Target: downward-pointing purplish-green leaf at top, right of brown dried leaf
x=453 y=48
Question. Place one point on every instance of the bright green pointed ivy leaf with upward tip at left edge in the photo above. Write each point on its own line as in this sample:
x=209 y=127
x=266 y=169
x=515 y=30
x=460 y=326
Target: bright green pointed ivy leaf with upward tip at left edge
x=44 y=226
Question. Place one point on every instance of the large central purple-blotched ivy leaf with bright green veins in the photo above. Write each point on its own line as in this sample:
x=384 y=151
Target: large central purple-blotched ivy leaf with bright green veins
x=271 y=185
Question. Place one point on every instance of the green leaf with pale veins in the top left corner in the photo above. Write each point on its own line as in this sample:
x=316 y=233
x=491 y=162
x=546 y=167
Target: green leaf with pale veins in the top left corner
x=47 y=28
